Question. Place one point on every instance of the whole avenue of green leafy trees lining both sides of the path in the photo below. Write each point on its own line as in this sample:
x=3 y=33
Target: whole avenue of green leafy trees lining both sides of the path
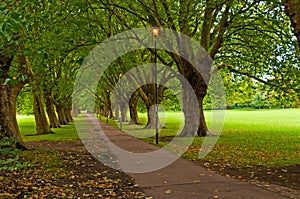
x=254 y=44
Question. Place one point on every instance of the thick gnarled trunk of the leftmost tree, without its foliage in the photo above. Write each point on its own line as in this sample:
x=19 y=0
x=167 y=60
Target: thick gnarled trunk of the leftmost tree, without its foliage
x=8 y=120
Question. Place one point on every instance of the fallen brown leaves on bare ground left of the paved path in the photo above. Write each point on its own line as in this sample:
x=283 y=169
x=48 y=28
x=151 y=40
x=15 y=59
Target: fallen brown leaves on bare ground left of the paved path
x=65 y=170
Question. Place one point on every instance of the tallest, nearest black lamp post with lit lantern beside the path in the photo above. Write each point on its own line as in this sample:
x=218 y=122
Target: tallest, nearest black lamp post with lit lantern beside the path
x=155 y=32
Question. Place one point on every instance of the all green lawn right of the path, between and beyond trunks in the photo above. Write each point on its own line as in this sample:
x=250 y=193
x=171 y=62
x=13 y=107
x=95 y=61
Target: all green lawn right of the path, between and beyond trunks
x=268 y=138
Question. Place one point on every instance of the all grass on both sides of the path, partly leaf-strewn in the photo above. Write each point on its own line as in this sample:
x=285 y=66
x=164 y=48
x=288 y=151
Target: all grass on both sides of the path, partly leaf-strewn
x=257 y=146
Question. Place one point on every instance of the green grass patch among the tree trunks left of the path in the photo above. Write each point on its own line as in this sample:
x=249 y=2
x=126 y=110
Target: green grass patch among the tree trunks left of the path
x=27 y=127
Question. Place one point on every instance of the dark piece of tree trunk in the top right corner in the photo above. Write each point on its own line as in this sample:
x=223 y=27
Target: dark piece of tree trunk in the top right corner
x=292 y=10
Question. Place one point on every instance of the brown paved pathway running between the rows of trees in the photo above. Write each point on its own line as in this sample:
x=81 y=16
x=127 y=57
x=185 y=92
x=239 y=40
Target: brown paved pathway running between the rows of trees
x=183 y=179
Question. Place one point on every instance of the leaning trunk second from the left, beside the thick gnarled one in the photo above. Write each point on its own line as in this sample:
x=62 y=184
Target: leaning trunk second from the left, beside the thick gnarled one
x=42 y=126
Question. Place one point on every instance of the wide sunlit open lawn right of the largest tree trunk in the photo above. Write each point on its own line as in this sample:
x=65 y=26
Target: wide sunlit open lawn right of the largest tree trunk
x=267 y=138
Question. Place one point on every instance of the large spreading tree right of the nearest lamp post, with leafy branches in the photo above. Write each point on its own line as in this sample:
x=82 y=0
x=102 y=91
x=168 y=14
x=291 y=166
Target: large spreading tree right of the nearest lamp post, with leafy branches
x=230 y=31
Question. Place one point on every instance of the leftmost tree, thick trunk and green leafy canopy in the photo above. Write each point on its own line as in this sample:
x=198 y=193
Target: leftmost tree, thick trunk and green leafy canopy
x=29 y=31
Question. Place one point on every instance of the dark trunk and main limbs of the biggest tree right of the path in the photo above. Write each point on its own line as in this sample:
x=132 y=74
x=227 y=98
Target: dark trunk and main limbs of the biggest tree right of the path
x=198 y=80
